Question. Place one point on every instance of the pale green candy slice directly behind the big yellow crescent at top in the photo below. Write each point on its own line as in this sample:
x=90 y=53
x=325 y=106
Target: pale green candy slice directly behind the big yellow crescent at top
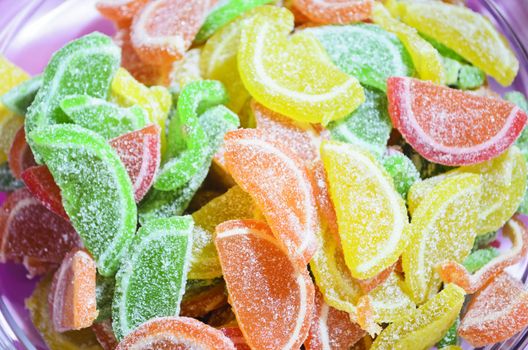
x=366 y=52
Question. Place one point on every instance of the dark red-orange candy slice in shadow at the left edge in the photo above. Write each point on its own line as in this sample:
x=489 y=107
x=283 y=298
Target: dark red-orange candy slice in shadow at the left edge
x=28 y=229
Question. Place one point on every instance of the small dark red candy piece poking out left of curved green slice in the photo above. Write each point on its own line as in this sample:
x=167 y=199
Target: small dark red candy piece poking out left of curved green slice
x=41 y=184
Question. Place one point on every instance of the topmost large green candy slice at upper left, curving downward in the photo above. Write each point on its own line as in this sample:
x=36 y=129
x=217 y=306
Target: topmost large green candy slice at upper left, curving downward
x=85 y=66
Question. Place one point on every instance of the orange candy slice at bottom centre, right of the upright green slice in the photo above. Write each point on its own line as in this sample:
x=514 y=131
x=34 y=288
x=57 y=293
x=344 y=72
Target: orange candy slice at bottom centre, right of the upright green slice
x=265 y=302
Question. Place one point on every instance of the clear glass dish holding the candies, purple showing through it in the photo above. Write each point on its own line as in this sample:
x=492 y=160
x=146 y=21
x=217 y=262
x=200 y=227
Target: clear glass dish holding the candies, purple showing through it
x=31 y=30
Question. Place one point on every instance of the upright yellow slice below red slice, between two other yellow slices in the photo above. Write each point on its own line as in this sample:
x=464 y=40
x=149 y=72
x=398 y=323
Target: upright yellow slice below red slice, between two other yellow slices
x=443 y=228
